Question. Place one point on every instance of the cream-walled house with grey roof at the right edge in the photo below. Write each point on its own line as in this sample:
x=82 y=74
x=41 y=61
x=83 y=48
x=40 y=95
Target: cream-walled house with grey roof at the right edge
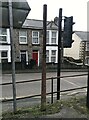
x=80 y=47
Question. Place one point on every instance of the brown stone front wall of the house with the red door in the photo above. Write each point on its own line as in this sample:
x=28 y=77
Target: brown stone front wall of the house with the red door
x=29 y=47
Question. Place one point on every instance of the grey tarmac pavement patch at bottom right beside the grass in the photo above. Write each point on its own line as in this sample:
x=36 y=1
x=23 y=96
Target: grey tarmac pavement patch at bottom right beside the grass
x=66 y=112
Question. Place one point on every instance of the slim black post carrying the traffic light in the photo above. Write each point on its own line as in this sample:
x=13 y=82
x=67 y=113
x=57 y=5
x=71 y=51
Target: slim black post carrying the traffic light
x=59 y=52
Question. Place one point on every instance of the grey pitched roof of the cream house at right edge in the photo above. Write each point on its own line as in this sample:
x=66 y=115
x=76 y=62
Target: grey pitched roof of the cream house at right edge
x=84 y=35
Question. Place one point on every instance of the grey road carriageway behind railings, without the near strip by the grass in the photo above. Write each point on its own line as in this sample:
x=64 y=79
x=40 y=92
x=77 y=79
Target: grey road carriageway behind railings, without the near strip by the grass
x=33 y=88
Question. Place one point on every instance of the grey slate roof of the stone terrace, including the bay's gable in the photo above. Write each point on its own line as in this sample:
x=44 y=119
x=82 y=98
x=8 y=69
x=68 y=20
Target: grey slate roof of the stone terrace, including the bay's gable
x=38 y=24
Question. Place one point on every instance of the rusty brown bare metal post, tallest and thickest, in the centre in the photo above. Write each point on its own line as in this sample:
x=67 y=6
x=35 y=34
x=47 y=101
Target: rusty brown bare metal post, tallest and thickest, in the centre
x=43 y=89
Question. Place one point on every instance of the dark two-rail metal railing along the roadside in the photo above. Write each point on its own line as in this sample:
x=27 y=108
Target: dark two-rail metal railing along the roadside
x=49 y=93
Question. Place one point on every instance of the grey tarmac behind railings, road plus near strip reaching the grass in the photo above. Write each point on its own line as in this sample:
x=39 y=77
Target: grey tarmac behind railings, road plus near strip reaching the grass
x=35 y=87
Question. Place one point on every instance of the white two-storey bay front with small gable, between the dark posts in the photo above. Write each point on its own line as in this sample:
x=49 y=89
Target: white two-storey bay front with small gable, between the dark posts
x=52 y=43
